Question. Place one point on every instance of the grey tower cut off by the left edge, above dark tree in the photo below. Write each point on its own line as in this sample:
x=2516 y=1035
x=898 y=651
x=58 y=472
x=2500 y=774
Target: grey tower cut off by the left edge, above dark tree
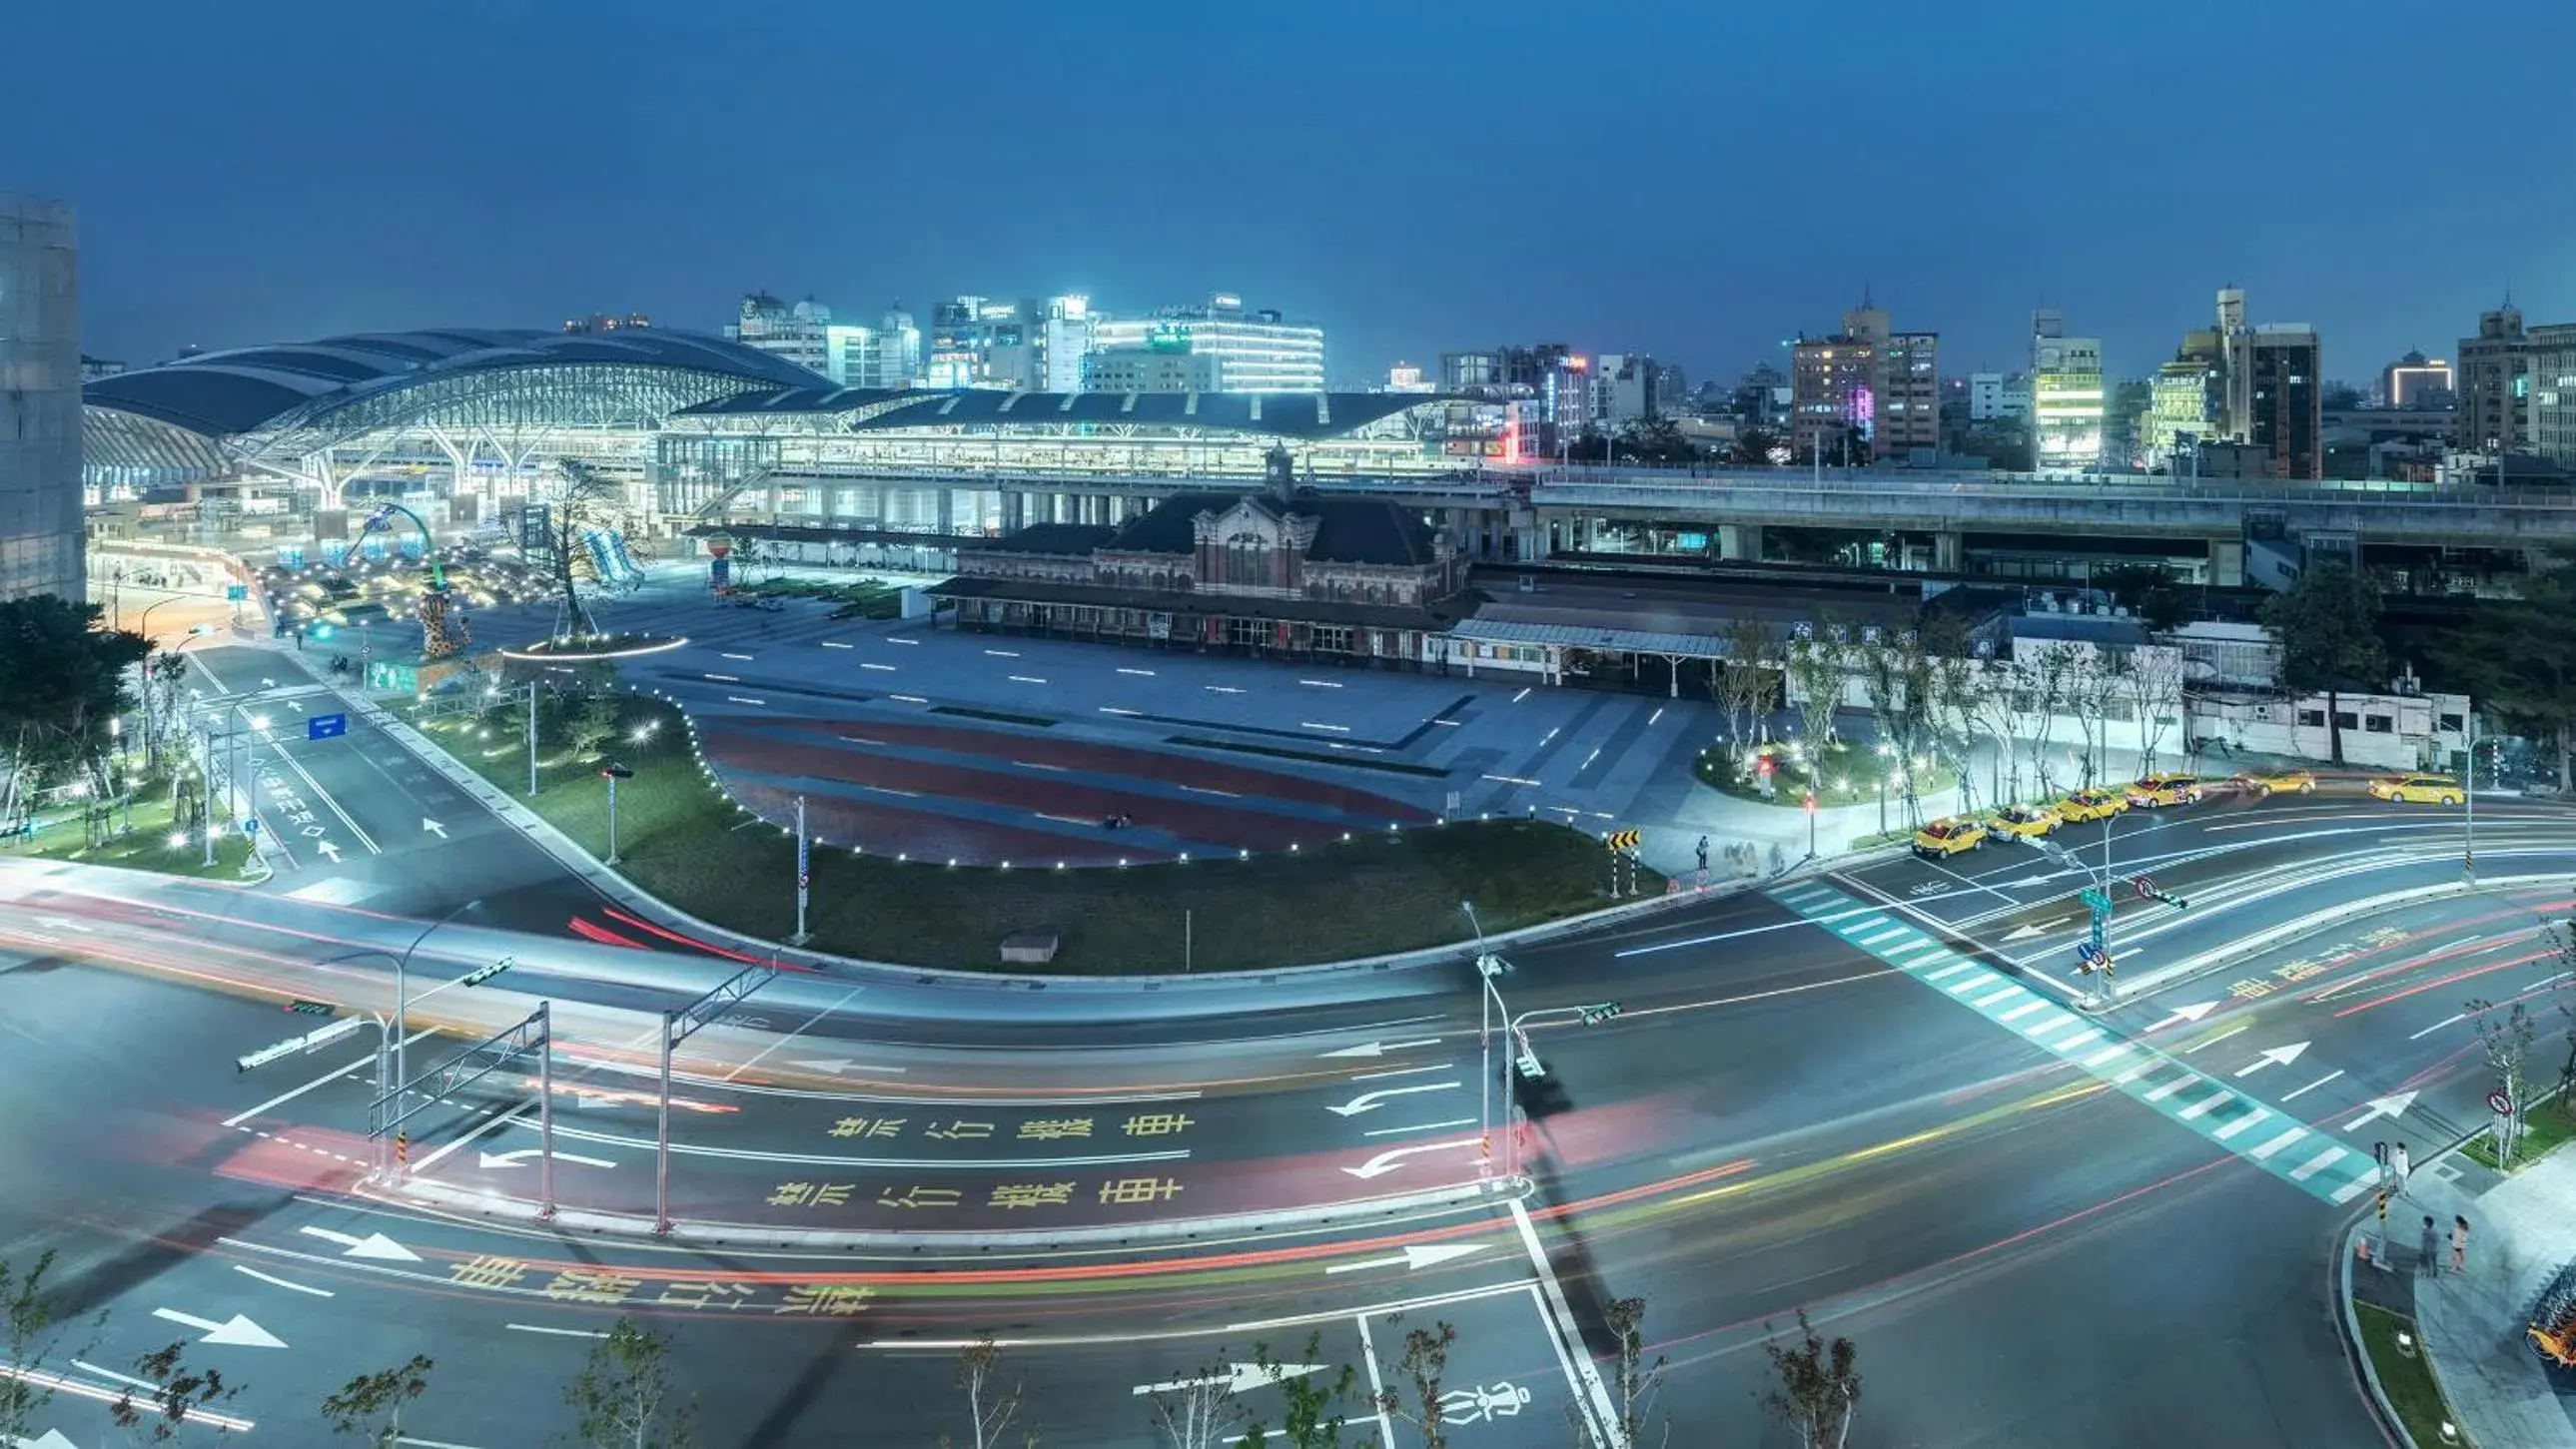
x=40 y=403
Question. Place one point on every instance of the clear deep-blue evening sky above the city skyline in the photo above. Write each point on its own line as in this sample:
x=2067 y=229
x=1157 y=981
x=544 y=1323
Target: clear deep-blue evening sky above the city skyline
x=1694 y=181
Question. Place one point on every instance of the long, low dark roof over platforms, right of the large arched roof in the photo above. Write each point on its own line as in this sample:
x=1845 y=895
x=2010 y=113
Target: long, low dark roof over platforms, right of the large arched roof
x=885 y=411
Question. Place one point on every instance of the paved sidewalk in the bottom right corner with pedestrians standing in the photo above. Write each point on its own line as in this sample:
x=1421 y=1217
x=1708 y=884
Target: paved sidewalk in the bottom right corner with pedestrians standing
x=2523 y=1232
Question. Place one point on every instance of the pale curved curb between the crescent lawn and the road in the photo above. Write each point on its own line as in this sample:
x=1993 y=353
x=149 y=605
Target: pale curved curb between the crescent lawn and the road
x=620 y=889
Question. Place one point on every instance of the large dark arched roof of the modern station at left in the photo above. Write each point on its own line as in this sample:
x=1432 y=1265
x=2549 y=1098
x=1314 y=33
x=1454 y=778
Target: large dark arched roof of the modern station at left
x=254 y=390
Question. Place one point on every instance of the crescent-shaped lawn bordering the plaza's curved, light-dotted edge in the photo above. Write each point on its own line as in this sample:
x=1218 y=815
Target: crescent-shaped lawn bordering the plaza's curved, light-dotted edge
x=687 y=843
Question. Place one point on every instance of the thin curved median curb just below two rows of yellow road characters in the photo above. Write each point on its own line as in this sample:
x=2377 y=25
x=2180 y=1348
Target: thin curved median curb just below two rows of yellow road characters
x=838 y=1242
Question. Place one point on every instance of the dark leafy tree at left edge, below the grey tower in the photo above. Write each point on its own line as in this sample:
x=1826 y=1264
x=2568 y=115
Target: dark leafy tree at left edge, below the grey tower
x=66 y=683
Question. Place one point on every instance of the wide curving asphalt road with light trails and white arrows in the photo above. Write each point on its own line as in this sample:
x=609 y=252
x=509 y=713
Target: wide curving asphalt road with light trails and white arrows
x=2039 y=1226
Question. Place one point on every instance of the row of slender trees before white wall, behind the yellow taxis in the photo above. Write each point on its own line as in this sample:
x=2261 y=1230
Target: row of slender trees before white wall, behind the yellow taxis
x=1941 y=696
